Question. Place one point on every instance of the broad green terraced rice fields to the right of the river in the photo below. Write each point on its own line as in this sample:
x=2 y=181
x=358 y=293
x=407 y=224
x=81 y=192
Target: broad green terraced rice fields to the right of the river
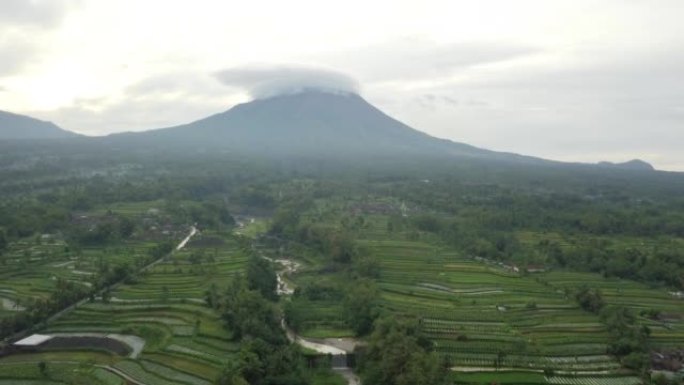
x=476 y=313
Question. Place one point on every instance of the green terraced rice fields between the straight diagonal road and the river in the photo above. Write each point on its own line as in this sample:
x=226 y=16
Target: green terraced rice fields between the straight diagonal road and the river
x=185 y=341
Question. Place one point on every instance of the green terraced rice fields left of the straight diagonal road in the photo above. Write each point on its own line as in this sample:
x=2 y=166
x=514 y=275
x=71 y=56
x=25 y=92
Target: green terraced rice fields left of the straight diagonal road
x=32 y=266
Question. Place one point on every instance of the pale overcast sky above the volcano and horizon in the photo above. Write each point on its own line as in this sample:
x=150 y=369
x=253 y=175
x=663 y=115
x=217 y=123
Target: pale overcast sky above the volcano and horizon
x=569 y=80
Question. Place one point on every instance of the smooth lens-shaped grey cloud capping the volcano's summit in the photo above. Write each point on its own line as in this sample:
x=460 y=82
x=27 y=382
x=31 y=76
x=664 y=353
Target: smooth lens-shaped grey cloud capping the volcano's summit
x=267 y=81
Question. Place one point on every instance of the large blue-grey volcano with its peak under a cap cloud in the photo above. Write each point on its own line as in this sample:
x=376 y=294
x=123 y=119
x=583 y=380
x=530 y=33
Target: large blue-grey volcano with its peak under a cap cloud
x=310 y=123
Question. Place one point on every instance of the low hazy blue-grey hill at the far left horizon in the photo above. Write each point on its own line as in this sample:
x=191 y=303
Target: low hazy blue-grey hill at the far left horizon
x=14 y=126
